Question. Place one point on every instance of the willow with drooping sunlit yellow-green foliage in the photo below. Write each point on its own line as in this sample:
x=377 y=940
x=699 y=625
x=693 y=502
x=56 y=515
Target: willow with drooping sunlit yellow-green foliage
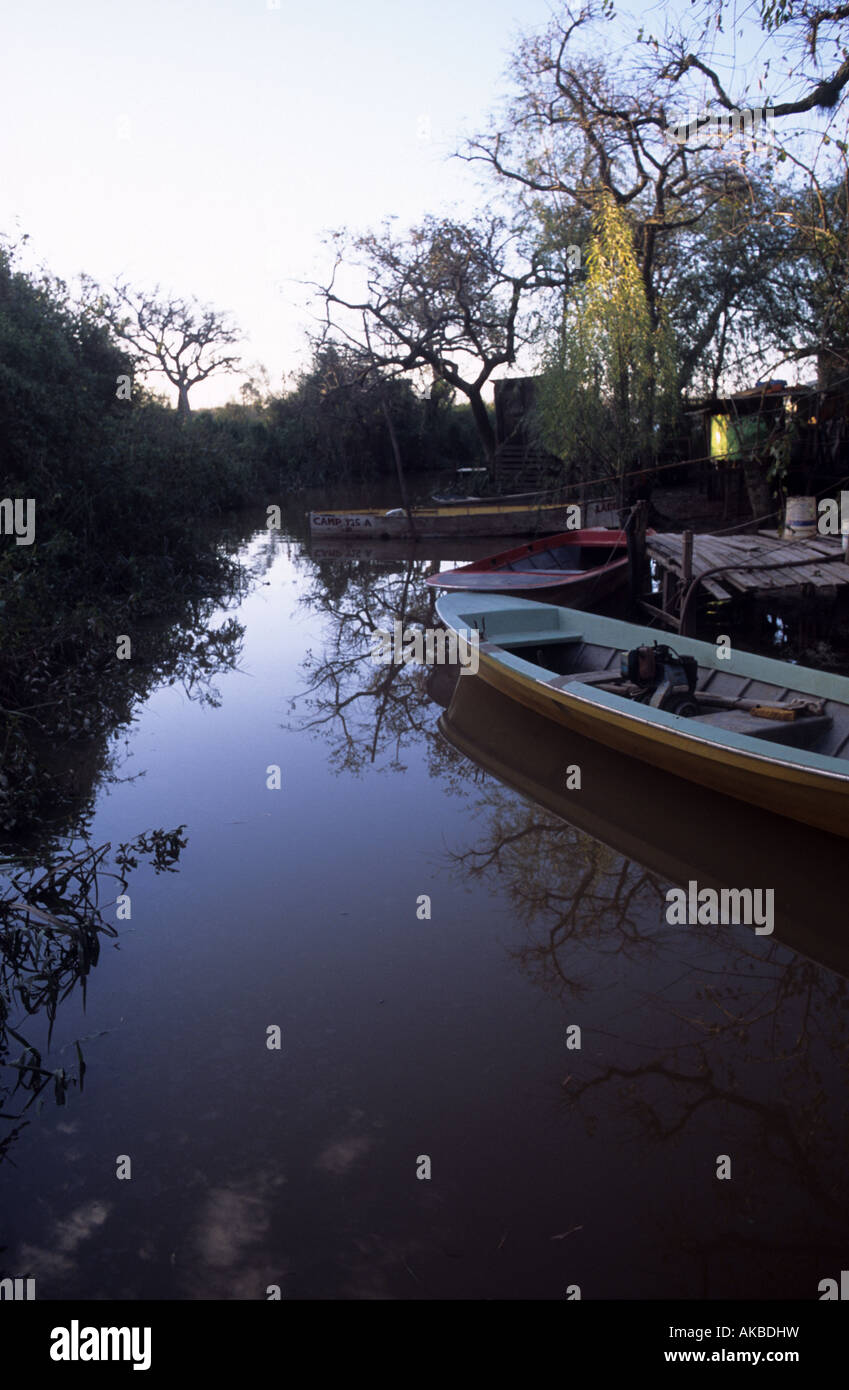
x=611 y=382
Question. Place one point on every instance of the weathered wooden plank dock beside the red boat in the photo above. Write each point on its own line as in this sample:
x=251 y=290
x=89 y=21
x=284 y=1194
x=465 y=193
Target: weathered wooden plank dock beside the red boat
x=733 y=566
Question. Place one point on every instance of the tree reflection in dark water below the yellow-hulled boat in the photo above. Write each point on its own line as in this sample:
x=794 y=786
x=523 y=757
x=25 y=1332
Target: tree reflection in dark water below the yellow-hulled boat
x=730 y=1036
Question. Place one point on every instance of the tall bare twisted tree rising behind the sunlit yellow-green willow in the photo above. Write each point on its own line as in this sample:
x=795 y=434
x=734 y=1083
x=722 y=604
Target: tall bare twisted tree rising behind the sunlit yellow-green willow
x=582 y=129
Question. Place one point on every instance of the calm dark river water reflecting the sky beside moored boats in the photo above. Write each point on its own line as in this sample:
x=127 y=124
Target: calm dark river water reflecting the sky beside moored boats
x=402 y=1038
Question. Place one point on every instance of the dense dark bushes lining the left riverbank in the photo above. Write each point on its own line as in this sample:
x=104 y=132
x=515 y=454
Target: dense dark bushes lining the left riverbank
x=123 y=490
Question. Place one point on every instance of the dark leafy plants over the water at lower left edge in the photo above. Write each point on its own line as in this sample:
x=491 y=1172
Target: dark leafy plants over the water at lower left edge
x=51 y=935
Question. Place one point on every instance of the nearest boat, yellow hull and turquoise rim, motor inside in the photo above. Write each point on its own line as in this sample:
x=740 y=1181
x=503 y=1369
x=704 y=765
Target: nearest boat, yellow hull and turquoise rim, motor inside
x=751 y=728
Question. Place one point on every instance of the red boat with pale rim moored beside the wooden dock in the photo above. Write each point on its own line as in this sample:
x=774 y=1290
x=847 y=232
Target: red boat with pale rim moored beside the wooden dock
x=572 y=569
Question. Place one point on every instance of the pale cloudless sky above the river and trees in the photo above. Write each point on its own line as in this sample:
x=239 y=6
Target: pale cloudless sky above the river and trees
x=206 y=145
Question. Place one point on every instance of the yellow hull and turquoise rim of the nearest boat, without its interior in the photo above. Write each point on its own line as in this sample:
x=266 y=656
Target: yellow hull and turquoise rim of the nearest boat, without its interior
x=772 y=778
